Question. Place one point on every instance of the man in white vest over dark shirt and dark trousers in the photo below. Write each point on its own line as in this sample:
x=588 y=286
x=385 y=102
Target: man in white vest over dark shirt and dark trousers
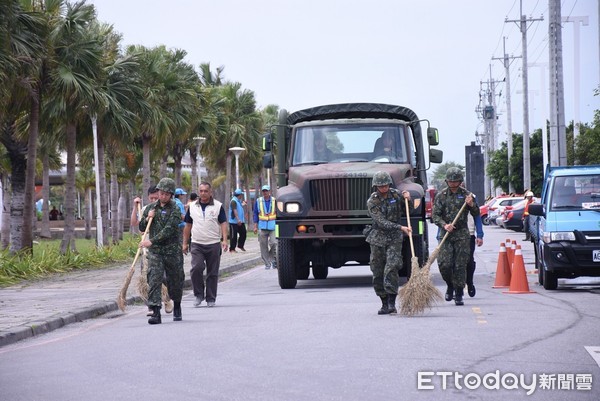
x=206 y=222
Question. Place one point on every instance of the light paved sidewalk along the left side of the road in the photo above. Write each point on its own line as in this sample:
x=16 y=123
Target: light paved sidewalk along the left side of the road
x=36 y=307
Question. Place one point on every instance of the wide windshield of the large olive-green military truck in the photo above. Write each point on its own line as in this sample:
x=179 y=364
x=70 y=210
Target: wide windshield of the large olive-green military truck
x=384 y=143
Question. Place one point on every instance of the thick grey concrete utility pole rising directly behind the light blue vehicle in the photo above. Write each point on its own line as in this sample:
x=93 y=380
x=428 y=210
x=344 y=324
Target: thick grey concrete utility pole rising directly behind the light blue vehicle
x=558 y=133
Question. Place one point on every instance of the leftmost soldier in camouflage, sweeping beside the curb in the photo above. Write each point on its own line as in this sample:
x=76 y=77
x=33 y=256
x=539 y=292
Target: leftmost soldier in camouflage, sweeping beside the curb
x=164 y=250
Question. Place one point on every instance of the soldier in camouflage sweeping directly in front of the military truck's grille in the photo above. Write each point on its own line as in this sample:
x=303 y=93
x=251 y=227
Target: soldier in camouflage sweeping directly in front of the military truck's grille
x=386 y=206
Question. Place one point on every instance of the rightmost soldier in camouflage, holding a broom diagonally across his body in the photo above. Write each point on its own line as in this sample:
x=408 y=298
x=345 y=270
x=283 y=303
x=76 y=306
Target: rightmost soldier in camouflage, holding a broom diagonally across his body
x=454 y=253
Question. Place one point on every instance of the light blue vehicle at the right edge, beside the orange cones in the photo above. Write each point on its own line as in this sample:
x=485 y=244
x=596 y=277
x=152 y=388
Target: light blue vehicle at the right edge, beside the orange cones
x=565 y=225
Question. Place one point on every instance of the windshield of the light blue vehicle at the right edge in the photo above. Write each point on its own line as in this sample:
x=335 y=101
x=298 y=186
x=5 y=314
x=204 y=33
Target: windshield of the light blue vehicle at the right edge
x=576 y=193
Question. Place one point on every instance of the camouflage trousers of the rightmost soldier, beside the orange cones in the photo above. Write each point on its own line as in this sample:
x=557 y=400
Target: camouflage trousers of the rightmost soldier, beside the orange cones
x=453 y=259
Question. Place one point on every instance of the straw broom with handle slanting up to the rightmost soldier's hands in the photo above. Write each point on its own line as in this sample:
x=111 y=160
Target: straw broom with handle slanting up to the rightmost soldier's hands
x=420 y=293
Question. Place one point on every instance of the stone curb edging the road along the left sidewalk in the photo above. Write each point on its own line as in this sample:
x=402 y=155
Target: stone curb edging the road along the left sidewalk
x=55 y=322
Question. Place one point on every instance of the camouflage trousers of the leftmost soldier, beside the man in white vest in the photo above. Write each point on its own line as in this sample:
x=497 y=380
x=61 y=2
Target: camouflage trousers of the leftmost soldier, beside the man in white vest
x=171 y=266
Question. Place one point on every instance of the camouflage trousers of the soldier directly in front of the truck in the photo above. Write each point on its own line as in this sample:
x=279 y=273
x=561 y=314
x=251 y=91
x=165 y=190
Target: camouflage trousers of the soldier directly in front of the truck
x=386 y=262
